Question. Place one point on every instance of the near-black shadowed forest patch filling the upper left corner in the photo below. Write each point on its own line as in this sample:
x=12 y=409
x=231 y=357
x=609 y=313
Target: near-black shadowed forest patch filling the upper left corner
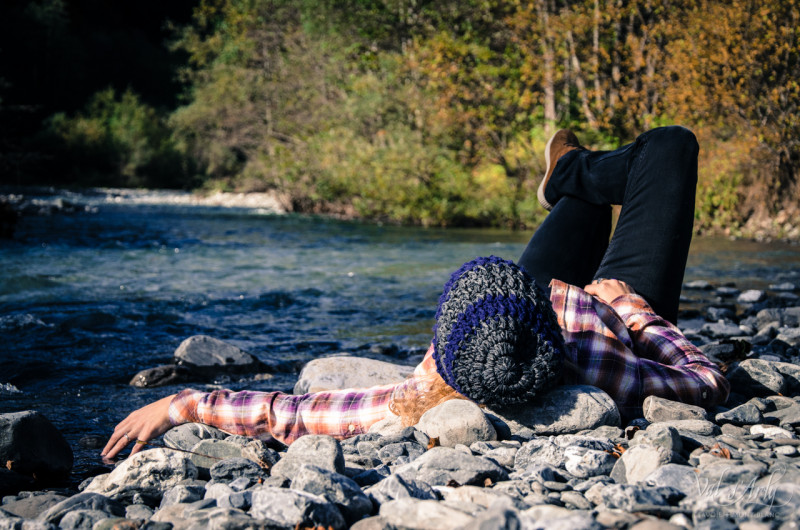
x=55 y=54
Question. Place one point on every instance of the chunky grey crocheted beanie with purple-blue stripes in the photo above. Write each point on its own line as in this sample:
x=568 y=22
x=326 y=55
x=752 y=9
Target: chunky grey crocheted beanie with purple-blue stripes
x=496 y=337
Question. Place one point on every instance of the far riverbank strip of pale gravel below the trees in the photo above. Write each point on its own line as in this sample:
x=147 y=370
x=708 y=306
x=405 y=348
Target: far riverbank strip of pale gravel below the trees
x=784 y=226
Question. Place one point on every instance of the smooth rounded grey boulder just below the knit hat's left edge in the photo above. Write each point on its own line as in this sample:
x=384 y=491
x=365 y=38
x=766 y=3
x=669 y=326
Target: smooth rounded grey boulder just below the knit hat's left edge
x=457 y=421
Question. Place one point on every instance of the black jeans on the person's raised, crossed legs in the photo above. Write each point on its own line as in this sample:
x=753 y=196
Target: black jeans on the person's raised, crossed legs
x=654 y=179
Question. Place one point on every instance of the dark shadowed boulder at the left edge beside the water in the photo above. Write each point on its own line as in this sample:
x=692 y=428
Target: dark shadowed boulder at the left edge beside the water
x=31 y=445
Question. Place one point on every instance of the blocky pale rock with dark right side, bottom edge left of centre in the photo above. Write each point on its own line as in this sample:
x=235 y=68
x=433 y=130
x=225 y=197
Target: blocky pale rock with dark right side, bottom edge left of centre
x=294 y=509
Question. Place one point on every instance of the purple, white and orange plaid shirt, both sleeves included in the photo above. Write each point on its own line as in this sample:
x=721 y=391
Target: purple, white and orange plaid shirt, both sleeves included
x=623 y=348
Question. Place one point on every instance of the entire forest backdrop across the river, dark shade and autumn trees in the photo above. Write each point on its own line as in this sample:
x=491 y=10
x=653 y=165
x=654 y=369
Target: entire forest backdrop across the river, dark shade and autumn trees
x=416 y=111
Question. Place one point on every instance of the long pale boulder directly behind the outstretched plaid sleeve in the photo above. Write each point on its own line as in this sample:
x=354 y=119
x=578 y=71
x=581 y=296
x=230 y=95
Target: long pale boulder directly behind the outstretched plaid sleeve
x=336 y=373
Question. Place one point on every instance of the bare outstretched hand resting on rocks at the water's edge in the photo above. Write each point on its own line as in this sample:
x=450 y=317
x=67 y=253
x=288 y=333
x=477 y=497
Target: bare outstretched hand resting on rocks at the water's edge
x=139 y=427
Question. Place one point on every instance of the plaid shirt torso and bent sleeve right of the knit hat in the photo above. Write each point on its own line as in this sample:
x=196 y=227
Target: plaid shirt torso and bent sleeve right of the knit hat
x=631 y=353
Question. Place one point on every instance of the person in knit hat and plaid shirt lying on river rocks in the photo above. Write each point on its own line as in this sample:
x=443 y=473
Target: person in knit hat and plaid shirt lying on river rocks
x=506 y=333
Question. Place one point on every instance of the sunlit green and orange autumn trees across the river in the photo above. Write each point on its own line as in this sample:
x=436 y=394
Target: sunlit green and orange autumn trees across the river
x=437 y=112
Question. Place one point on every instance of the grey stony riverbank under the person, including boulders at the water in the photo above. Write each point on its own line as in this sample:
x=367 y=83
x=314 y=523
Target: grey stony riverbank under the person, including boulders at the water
x=567 y=461
